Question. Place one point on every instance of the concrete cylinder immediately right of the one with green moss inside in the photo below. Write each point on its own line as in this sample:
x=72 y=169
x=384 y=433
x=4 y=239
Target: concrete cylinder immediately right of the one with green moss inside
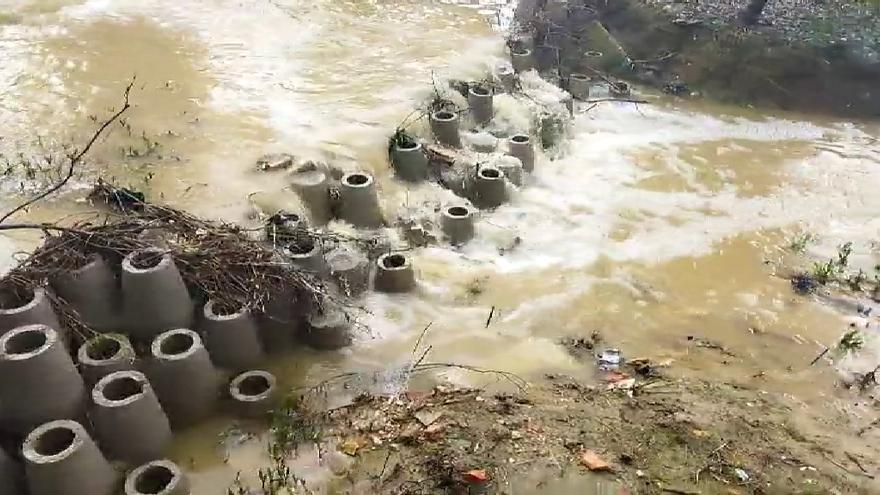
x=182 y=375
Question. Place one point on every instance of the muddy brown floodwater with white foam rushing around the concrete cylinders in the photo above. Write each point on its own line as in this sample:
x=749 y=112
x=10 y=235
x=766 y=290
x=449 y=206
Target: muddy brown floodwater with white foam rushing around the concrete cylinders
x=657 y=223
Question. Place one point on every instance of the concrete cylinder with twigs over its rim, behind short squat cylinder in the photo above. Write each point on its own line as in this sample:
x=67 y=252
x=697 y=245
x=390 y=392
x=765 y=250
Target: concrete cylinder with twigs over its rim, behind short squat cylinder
x=231 y=336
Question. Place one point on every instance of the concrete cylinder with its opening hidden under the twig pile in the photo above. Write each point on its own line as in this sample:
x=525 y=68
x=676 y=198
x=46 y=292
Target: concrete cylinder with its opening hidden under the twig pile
x=93 y=291
